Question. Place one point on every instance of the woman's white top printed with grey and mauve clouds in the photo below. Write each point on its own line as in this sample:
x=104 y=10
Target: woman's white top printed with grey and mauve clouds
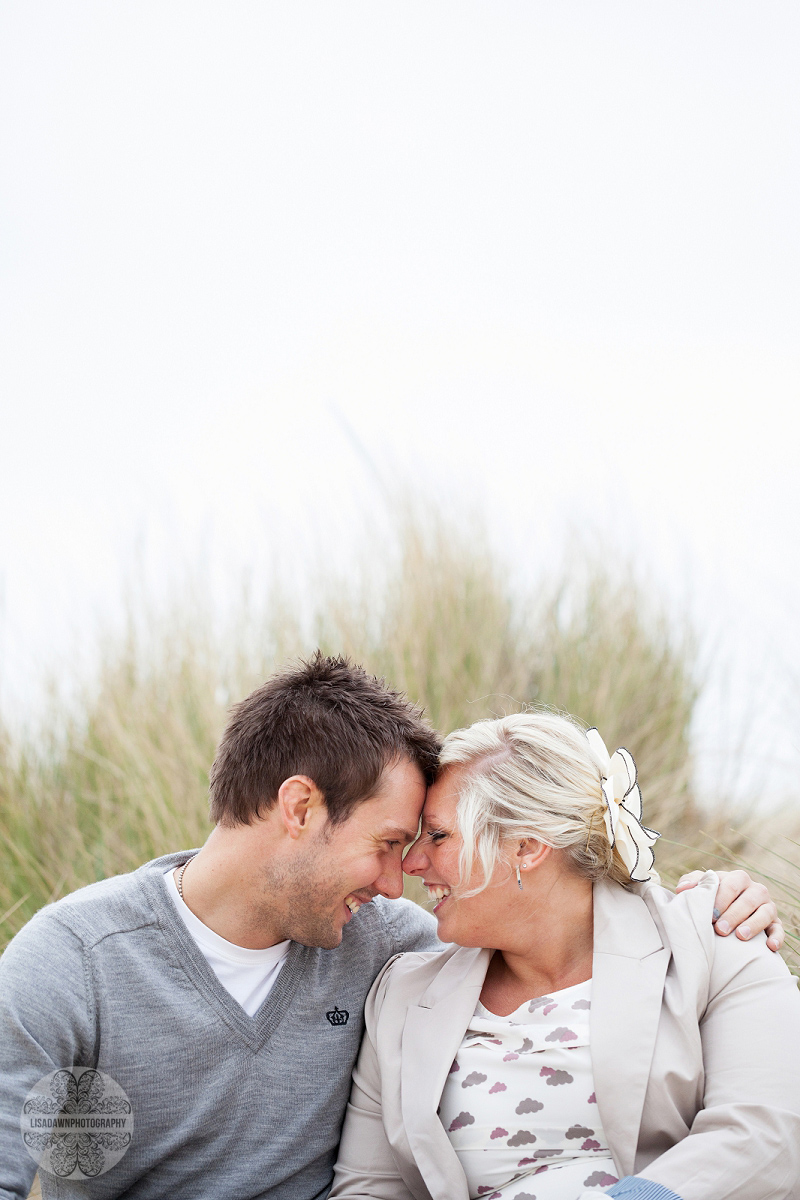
x=520 y=1103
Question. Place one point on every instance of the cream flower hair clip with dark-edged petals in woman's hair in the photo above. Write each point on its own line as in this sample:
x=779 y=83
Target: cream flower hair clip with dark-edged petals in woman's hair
x=623 y=811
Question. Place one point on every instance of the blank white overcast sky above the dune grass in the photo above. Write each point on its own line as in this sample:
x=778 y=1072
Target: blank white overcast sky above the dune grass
x=542 y=256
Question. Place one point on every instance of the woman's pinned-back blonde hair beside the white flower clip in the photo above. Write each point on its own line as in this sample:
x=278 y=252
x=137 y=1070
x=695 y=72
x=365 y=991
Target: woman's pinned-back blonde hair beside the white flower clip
x=531 y=776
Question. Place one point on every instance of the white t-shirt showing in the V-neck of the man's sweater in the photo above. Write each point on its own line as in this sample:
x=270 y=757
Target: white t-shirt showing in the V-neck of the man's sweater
x=248 y=975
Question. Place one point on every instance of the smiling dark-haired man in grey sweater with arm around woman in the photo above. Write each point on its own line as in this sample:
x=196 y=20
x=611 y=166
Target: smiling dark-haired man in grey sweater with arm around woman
x=224 y=991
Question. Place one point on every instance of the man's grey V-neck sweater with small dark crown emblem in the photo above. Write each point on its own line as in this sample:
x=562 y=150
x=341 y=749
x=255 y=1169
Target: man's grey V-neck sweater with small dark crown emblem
x=224 y=1105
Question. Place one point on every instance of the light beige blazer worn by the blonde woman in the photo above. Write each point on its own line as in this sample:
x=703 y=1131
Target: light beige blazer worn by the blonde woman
x=695 y=1049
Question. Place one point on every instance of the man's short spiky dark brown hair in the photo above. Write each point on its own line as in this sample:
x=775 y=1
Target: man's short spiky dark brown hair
x=327 y=719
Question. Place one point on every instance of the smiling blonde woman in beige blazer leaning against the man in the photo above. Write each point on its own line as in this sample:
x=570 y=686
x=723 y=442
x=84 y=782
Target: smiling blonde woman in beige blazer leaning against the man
x=588 y=1033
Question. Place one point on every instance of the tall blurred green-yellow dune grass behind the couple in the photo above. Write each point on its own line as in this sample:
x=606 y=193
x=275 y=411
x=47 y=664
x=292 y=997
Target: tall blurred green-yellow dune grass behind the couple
x=122 y=776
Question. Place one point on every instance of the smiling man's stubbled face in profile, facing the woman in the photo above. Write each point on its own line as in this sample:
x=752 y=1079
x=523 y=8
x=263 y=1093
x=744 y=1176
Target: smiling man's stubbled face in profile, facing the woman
x=345 y=866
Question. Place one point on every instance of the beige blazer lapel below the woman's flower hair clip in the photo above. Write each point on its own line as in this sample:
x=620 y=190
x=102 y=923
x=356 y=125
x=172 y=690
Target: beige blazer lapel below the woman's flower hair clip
x=629 y=971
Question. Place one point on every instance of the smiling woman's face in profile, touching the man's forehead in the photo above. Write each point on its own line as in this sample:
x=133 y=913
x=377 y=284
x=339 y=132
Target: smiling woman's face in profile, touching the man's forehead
x=482 y=920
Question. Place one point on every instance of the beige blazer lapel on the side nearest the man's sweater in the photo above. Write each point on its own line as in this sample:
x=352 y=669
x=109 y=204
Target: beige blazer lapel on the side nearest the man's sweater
x=432 y=1035
